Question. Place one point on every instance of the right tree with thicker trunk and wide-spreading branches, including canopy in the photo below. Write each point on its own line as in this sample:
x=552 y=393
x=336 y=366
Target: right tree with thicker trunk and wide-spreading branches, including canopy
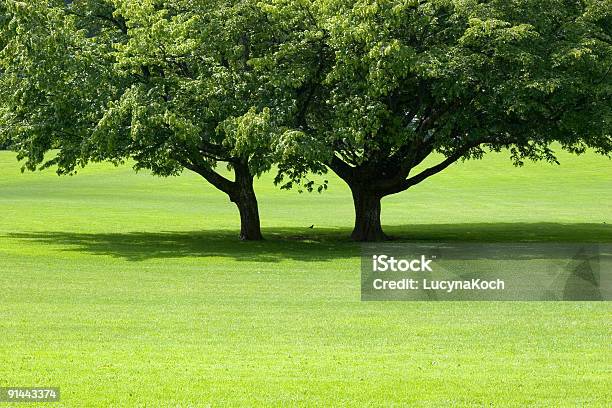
x=386 y=84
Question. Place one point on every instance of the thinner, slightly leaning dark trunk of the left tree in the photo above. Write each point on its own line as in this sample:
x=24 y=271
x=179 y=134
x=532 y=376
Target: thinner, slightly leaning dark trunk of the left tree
x=245 y=199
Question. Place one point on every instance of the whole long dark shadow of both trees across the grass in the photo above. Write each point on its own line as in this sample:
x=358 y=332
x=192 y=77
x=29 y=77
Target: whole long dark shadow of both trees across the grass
x=302 y=244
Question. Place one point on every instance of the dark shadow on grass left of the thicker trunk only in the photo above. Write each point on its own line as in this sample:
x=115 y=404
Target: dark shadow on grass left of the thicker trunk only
x=137 y=246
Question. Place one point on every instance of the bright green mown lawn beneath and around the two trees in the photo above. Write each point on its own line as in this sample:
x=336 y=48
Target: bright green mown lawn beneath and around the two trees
x=127 y=290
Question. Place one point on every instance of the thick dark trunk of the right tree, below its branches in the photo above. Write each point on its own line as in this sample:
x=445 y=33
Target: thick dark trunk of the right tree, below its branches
x=367 y=216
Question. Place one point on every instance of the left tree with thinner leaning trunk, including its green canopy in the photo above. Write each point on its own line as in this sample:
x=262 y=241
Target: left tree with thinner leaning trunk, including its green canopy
x=167 y=84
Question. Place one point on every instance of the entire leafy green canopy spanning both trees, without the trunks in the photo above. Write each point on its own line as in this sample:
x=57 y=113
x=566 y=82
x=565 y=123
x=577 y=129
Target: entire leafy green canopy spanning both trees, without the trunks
x=378 y=85
